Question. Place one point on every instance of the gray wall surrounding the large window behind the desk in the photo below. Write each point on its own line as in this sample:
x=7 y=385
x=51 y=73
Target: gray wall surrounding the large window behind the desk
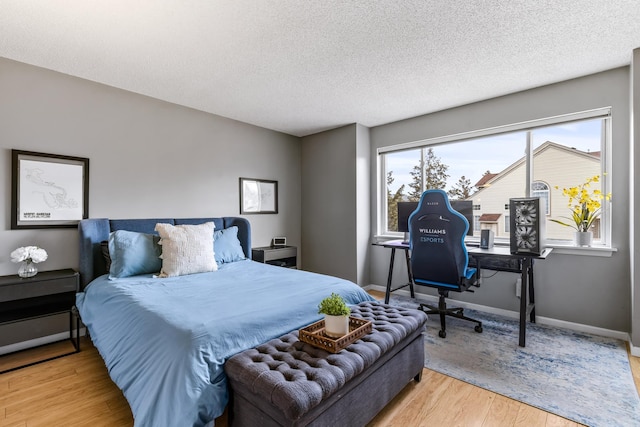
x=588 y=290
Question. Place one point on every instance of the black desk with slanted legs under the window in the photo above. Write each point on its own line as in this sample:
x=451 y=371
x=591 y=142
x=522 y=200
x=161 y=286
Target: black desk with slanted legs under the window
x=488 y=259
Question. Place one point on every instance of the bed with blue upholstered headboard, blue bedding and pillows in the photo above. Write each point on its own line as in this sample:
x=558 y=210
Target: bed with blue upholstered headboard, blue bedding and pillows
x=165 y=340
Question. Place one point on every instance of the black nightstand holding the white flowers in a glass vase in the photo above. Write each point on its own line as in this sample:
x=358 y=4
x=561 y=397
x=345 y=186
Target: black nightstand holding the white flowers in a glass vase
x=46 y=294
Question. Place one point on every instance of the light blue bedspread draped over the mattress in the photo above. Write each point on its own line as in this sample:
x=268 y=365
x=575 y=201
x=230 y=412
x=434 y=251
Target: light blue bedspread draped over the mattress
x=165 y=341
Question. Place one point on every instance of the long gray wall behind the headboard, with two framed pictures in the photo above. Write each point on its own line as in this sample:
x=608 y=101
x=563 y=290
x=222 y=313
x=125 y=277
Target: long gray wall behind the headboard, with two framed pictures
x=147 y=158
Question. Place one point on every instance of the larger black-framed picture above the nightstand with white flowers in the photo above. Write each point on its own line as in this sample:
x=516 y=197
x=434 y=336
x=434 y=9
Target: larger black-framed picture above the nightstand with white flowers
x=48 y=190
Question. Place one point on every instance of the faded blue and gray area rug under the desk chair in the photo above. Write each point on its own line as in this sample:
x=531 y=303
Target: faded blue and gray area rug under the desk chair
x=582 y=377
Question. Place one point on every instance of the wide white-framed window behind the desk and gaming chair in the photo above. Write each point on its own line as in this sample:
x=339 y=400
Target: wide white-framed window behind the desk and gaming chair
x=491 y=166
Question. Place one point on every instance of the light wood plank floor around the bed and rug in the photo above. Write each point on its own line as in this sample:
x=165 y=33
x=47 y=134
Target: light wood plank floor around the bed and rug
x=76 y=390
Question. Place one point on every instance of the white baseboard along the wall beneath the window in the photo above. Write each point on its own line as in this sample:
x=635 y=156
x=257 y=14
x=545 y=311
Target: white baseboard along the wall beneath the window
x=624 y=336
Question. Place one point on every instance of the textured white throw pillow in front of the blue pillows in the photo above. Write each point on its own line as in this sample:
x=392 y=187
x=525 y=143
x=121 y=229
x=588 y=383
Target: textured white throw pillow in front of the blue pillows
x=186 y=249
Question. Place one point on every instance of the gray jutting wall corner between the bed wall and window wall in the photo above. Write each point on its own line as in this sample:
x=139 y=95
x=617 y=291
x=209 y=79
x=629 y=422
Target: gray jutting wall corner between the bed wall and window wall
x=335 y=206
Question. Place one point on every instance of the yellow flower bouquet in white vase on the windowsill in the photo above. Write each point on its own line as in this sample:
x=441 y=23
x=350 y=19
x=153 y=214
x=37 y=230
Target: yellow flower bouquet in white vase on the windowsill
x=585 y=205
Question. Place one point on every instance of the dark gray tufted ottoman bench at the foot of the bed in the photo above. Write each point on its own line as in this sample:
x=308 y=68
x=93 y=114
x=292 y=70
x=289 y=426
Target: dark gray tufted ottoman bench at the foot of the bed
x=286 y=382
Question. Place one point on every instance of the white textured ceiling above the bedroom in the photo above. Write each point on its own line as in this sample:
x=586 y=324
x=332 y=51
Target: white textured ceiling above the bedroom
x=305 y=66
